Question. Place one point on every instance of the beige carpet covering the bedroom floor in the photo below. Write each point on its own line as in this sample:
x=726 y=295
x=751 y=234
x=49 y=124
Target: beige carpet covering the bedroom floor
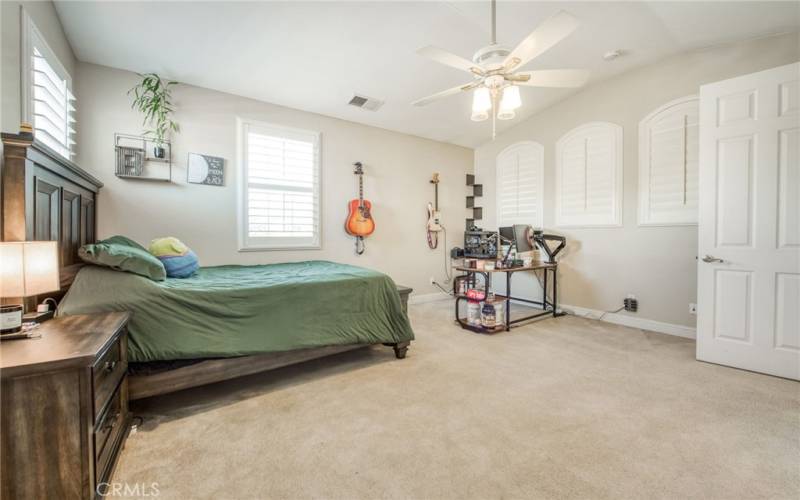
x=564 y=408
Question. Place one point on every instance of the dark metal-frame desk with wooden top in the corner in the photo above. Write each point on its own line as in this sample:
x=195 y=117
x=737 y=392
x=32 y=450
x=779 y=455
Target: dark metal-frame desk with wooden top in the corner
x=548 y=307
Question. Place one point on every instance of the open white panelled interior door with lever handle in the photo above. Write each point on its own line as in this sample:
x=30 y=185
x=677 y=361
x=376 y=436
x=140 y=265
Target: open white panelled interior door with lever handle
x=749 y=222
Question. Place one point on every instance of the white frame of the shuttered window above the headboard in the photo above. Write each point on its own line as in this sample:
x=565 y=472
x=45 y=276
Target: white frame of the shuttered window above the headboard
x=32 y=37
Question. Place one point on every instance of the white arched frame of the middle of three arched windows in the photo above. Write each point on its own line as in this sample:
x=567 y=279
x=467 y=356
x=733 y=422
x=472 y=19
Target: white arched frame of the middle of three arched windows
x=616 y=219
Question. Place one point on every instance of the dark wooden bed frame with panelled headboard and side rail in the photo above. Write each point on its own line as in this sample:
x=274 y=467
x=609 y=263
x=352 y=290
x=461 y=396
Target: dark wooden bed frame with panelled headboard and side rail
x=47 y=197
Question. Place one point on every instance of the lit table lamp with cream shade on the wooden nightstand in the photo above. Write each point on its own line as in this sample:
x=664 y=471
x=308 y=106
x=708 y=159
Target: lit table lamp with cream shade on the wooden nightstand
x=27 y=268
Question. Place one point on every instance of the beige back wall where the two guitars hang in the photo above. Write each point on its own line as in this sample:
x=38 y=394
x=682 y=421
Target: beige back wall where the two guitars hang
x=397 y=167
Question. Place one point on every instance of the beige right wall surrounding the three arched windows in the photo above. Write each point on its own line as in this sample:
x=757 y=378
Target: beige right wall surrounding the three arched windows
x=657 y=264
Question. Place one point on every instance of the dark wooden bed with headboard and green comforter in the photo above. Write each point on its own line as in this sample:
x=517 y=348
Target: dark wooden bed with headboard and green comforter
x=225 y=322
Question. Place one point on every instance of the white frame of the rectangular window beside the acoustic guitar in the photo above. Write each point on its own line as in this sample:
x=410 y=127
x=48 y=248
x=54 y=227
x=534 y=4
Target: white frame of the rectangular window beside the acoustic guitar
x=259 y=244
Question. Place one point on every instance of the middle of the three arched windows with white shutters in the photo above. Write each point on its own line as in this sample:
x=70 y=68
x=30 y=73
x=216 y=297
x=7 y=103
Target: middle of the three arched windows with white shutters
x=589 y=176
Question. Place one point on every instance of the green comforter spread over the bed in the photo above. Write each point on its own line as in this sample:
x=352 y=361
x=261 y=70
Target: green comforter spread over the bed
x=239 y=310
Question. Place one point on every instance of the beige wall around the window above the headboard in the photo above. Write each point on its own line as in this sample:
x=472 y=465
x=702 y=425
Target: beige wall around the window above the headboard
x=46 y=19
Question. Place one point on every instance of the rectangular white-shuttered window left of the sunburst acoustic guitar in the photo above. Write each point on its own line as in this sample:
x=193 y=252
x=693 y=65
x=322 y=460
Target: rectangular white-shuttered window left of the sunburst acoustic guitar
x=280 y=194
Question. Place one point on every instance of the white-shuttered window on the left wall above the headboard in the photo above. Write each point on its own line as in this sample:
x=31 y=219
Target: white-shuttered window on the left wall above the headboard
x=48 y=104
